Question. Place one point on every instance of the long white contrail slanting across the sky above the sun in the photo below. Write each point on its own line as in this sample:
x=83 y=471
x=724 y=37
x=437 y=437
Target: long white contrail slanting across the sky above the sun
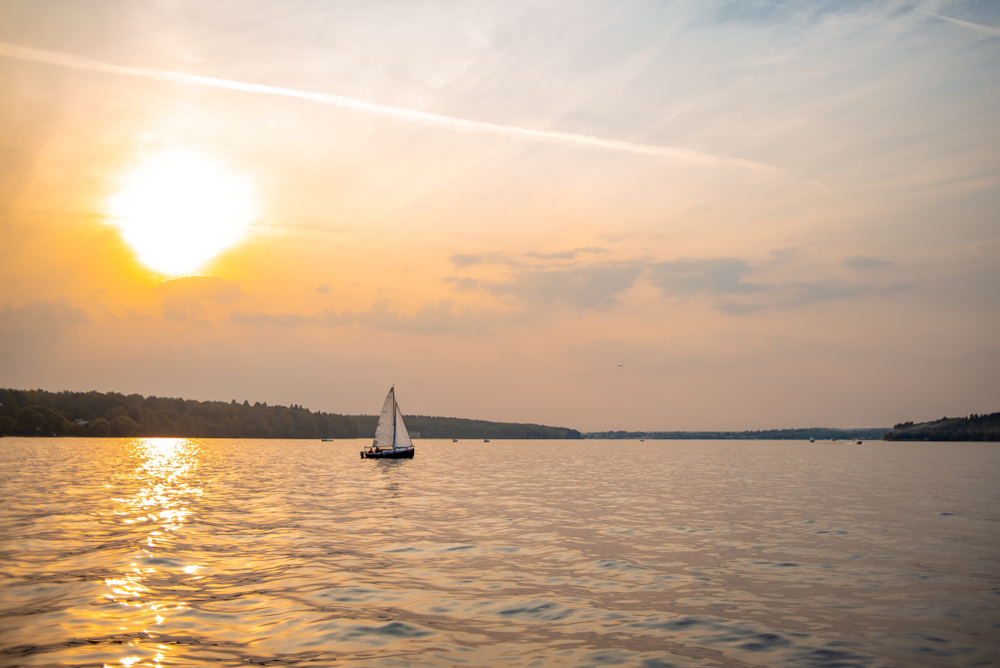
x=413 y=115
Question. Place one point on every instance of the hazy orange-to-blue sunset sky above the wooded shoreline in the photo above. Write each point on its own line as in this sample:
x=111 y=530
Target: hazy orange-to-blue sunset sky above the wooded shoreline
x=602 y=215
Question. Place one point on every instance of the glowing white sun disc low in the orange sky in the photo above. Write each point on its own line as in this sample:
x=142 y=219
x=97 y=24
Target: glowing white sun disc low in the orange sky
x=179 y=210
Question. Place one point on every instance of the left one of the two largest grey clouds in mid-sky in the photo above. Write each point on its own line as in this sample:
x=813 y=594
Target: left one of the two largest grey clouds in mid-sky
x=586 y=287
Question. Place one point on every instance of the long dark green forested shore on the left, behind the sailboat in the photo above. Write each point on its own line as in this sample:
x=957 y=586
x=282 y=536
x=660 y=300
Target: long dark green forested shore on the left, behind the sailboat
x=42 y=413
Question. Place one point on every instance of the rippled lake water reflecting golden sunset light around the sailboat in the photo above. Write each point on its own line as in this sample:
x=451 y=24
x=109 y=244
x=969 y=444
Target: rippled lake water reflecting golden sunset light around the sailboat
x=178 y=552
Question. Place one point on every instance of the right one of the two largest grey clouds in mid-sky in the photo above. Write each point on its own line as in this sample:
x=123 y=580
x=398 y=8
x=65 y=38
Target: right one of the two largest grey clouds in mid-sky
x=716 y=276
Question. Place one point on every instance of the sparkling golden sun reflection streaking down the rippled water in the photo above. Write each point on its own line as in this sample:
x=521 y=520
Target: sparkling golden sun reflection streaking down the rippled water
x=157 y=506
